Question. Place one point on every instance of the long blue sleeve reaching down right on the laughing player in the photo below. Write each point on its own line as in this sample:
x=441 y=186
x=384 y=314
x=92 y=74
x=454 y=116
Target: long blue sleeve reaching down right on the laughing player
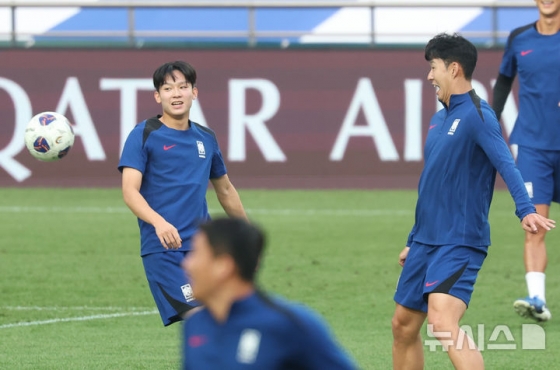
x=488 y=135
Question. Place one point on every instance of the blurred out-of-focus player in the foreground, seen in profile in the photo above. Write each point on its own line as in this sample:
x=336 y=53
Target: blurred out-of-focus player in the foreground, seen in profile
x=239 y=327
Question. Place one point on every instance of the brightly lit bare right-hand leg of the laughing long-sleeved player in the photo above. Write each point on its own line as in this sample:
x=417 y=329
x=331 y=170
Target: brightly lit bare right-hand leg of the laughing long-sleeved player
x=444 y=313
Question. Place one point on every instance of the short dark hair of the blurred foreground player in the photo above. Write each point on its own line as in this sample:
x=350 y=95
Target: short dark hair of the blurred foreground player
x=236 y=237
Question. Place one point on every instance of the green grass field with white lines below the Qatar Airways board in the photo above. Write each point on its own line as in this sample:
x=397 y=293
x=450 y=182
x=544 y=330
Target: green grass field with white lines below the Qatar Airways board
x=73 y=293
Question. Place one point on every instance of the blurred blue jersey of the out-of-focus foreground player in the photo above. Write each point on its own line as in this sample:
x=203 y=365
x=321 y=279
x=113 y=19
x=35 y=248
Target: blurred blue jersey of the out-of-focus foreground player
x=261 y=333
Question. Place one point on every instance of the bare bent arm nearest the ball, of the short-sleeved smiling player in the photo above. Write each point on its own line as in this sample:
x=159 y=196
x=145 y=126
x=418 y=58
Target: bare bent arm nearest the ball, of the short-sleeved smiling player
x=167 y=233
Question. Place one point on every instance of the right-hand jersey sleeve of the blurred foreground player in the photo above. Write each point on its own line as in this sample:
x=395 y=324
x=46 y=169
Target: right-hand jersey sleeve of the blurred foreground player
x=320 y=349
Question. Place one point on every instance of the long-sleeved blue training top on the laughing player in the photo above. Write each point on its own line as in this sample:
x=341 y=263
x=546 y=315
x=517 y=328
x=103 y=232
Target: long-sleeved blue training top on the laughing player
x=463 y=149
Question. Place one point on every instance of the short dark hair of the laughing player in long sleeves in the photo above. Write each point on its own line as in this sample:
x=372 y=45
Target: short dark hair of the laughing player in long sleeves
x=453 y=48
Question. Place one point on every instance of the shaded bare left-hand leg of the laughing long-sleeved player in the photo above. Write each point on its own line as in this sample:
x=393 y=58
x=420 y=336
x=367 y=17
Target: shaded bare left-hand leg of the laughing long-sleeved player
x=408 y=351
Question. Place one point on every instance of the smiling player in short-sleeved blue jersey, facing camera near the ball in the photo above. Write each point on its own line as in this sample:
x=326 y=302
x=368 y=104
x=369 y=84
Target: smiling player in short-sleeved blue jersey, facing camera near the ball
x=166 y=164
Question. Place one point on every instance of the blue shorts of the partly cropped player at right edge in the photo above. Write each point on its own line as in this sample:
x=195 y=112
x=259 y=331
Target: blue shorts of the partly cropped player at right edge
x=540 y=170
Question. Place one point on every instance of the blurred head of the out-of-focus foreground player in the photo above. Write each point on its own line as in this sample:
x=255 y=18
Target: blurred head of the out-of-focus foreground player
x=223 y=250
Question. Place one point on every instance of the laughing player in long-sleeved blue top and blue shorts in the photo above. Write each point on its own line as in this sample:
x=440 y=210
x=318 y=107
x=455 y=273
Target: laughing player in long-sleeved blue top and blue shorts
x=450 y=238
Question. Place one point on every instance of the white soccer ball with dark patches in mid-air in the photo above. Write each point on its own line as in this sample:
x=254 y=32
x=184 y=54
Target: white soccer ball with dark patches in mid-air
x=49 y=136
